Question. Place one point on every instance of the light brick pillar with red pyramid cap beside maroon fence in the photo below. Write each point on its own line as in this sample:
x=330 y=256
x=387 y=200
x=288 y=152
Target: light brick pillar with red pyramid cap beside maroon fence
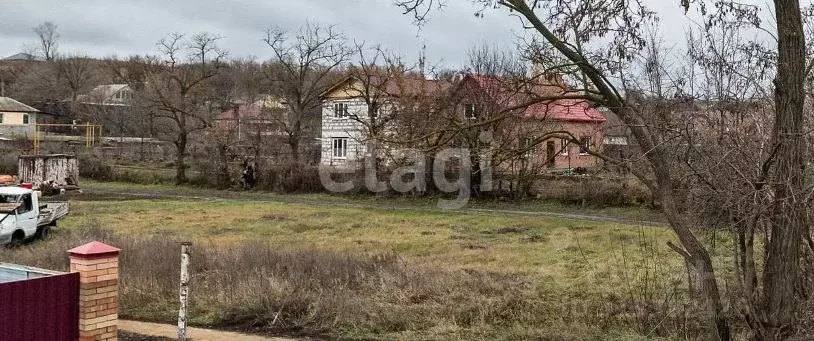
x=98 y=267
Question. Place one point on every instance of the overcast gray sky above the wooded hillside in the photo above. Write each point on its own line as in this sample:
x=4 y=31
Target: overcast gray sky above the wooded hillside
x=124 y=27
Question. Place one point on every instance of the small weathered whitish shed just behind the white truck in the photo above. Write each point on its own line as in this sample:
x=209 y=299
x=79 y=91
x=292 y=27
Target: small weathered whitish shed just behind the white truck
x=61 y=169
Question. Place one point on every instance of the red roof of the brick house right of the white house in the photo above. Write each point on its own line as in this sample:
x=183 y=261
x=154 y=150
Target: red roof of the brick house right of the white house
x=572 y=110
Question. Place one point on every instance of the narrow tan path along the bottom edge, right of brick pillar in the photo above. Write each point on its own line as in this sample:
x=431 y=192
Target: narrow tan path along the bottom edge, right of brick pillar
x=195 y=334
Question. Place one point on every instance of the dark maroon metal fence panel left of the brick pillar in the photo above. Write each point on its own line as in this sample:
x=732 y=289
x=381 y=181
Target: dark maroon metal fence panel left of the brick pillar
x=40 y=309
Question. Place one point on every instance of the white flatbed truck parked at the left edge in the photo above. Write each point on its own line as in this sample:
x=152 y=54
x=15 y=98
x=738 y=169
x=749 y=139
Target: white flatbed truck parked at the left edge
x=23 y=216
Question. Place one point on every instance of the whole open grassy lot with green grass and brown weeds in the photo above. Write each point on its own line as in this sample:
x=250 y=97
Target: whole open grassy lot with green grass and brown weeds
x=375 y=273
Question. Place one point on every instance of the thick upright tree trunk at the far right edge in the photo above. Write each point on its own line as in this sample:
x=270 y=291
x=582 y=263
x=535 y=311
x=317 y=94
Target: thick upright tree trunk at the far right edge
x=788 y=213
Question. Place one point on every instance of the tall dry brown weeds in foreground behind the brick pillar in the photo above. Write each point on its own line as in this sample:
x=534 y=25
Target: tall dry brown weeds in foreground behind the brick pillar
x=256 y=286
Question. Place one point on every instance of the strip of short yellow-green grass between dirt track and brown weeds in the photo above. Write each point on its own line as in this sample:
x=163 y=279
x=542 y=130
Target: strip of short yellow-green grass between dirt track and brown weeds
x=538 y=246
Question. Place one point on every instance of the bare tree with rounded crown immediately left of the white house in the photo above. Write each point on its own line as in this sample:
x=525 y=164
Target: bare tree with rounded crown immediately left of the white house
x=300 y=72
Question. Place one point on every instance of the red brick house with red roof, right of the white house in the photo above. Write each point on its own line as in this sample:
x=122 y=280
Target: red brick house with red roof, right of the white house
x=481 y=95
